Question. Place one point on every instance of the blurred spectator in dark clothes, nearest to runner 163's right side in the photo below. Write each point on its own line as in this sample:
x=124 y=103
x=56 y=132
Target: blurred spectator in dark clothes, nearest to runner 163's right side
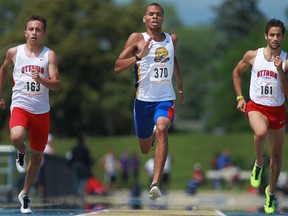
x=80 y=161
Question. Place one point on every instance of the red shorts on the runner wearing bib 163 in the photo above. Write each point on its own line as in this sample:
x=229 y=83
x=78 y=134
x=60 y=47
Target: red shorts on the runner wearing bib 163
x=38 y=124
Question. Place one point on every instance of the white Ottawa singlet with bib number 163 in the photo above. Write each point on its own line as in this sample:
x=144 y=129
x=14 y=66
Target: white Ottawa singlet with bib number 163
x=26 y=92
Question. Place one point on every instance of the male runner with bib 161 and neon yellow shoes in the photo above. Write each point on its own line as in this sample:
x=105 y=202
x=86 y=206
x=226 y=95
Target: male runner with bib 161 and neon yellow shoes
x=266 y=110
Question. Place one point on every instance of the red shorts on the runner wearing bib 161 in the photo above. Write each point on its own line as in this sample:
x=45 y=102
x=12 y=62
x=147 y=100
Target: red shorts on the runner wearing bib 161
x=276 y=115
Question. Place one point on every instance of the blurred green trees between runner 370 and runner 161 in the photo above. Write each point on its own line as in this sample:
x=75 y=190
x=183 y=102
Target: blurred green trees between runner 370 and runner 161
x=208 y=54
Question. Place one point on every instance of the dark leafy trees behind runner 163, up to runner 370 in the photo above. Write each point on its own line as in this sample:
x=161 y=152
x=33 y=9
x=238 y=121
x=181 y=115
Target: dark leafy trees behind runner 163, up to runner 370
x=87 y=37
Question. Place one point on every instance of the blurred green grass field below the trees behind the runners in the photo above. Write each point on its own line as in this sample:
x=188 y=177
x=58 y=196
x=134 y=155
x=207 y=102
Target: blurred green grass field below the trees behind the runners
x=185 y=149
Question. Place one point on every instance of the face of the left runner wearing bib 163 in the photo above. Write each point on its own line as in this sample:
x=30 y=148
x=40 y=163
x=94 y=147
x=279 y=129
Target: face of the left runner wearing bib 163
x=34 y=31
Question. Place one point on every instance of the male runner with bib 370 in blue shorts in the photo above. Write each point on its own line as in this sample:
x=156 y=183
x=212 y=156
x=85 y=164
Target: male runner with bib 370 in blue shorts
x=153 y=55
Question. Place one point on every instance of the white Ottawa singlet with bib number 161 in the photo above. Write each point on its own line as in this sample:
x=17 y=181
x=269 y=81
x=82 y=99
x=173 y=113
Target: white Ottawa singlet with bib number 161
x=265 y=83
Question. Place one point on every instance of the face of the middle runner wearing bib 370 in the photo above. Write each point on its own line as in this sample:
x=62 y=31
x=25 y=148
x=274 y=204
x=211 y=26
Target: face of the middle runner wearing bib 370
x=153 y=17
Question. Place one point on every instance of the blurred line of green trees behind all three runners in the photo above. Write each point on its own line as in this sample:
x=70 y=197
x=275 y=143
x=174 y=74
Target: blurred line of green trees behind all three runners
x=88 y=37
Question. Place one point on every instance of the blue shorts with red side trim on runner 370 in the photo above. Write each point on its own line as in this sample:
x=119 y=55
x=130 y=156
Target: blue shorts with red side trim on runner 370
x=147 y=113
